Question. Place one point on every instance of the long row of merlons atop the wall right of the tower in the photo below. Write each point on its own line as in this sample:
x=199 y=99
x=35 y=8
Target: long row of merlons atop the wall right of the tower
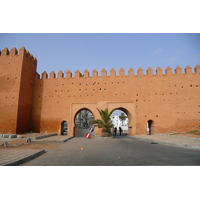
x=140 y=73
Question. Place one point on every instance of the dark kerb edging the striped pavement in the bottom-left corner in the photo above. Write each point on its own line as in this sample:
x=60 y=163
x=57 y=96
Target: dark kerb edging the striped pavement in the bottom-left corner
x=25 y=159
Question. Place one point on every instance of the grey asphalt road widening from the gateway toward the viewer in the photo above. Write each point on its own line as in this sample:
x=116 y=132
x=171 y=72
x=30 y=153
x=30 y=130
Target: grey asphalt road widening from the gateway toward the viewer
x=120 y=151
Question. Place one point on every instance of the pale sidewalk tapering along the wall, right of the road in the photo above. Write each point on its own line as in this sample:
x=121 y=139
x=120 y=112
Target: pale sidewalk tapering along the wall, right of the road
x=191 y=142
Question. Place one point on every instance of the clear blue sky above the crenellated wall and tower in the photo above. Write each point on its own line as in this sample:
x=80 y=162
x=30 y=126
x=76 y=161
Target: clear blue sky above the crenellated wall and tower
x=80 y=51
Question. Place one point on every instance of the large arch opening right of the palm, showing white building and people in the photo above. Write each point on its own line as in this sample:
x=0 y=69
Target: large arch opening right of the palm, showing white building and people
x=119 y=118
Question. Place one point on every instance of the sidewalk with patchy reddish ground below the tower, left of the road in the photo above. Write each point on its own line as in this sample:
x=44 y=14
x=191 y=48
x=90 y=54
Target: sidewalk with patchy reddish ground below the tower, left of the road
x=19 y=151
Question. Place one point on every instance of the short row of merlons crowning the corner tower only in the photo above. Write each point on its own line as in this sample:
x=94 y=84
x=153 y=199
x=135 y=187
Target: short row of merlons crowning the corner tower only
x=14 y=52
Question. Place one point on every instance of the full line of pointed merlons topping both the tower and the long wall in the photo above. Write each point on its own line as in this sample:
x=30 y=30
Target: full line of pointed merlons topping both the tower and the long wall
x=140 y=72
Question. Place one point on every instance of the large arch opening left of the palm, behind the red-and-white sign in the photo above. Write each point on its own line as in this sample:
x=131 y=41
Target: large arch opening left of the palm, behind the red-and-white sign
x=81 y=120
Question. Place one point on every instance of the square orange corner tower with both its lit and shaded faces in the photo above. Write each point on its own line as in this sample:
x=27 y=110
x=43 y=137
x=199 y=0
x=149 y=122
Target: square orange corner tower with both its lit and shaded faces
x=16 y=89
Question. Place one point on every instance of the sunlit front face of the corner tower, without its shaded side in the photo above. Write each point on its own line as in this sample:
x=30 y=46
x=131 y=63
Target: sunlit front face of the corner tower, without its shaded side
x=10 y=73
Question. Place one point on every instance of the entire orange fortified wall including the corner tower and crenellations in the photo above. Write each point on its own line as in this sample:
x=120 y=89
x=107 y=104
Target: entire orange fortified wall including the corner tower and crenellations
x=170 y=100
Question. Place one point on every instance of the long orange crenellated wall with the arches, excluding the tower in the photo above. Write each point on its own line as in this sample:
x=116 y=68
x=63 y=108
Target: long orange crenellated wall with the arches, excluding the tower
x=169 y=99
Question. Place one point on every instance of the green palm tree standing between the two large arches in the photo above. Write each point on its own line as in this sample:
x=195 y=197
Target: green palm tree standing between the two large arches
x=105 y=123
